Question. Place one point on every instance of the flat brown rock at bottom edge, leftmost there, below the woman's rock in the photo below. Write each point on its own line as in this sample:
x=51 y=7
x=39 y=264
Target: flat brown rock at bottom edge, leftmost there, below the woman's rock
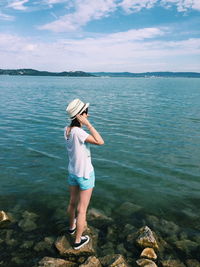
x=53 y=262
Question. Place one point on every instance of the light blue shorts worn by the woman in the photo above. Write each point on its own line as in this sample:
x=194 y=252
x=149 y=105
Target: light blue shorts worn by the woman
x=82 y=182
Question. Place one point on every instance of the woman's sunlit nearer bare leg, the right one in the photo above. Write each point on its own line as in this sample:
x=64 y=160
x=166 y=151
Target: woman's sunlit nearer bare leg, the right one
x=84 y=200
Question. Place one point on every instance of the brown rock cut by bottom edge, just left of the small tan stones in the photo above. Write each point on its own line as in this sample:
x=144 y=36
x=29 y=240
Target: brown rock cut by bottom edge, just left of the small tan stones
x=115 y=260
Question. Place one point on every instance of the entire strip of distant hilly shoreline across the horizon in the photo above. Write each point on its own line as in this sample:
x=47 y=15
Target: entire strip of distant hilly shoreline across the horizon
x=32 y=72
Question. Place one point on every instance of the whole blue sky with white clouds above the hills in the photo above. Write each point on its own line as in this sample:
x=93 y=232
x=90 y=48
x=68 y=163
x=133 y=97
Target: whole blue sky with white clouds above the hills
x=100 y=35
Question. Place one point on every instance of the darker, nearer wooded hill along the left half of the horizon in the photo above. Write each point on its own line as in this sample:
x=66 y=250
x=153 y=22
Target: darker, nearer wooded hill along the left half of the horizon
x=32 y=72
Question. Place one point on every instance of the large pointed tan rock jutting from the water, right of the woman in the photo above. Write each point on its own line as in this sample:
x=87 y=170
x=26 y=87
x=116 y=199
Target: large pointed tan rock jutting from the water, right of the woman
x=146 y=238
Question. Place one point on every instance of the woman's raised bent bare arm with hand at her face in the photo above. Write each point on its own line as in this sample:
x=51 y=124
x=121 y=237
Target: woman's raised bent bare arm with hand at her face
x=94 y=137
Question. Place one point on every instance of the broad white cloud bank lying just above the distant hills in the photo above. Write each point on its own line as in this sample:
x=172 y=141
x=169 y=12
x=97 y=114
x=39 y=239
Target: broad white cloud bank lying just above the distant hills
x=133 y=51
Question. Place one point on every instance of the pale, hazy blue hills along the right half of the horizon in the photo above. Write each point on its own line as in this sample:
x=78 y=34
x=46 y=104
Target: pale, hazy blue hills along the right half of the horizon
x=148 y=74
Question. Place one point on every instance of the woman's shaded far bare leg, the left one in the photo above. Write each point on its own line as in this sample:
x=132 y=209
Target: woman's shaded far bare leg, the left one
x=74 y=196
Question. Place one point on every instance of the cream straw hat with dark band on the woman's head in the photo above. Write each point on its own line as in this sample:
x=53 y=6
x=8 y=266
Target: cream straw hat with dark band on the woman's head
x=76 y=107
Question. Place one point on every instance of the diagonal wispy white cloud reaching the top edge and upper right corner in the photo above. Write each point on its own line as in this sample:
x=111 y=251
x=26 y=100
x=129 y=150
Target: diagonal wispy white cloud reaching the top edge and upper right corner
x=87 y=10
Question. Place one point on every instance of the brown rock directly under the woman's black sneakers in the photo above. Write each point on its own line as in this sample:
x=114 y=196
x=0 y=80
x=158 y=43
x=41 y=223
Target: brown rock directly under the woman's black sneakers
x=65 y=249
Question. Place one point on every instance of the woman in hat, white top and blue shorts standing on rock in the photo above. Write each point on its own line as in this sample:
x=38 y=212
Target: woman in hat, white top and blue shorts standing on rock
x=81 y=172
